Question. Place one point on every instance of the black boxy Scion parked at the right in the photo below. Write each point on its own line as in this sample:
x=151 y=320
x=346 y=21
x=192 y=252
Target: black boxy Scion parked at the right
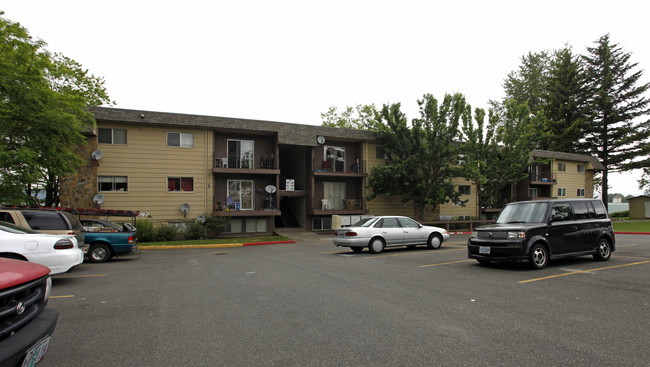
x=536 y=231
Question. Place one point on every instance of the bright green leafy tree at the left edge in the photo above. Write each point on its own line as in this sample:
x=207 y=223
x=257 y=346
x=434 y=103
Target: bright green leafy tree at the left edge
x=43 y=100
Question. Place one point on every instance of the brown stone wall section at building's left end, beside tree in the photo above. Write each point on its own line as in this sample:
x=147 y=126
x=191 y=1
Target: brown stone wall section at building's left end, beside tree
x=77 y=189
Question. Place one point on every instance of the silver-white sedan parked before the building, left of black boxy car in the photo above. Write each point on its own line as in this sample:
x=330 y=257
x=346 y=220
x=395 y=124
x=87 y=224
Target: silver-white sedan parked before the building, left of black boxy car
x=377 y=233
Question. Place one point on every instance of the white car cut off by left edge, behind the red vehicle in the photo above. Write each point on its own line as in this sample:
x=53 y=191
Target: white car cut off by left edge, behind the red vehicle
x=57 y=252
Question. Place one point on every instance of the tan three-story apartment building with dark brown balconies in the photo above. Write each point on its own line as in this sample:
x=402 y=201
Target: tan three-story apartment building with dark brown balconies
x=176 y=168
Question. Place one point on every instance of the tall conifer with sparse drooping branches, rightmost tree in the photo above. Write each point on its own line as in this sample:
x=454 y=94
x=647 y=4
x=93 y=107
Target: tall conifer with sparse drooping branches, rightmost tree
x=618 y=128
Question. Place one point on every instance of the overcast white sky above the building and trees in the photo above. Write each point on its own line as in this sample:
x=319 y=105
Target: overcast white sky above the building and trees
x=289 y=61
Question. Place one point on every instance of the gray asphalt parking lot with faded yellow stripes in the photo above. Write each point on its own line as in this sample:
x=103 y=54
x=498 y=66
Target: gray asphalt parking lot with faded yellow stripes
x=312 y=304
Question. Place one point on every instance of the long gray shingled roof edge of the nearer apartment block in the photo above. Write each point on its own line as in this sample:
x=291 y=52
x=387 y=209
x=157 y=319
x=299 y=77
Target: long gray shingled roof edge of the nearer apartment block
x=288 y=133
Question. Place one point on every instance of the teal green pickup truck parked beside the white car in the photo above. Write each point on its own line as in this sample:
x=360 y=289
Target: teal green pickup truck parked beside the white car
x=108 y=239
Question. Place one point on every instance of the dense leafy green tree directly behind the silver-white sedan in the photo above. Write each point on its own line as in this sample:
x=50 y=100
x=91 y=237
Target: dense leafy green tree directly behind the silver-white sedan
x=420 y=159
